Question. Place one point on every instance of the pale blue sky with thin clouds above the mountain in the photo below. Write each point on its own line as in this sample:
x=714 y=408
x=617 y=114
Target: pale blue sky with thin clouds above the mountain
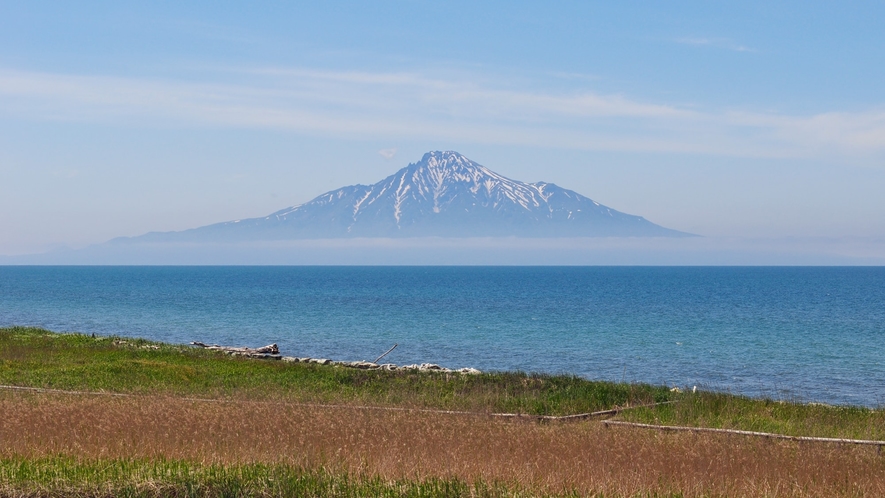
x=749 y=120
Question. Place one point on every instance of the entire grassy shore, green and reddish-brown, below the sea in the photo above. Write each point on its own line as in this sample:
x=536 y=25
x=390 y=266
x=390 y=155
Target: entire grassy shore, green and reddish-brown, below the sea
x=111 y=416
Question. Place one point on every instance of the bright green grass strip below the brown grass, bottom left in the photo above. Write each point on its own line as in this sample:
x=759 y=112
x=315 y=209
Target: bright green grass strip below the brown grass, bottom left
x=59 y=476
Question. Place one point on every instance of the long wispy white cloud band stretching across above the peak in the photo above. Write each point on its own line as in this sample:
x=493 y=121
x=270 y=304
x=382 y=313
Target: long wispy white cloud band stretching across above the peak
x=397 y=105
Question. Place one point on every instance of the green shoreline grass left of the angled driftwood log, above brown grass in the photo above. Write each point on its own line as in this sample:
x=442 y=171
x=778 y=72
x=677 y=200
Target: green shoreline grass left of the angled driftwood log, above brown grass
x=38 y=358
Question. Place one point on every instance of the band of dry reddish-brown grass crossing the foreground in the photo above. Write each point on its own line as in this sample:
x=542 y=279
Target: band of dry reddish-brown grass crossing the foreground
x=546 y=457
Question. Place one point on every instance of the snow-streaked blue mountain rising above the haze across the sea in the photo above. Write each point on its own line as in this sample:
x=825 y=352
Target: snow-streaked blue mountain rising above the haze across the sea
x=445 y=194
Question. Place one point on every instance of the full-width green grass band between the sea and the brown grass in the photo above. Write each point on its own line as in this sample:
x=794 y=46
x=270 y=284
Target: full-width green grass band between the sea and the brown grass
x=39 y=358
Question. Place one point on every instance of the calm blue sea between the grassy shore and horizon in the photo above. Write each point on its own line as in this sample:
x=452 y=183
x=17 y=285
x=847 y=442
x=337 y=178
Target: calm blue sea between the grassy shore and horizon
x=810 y=334
